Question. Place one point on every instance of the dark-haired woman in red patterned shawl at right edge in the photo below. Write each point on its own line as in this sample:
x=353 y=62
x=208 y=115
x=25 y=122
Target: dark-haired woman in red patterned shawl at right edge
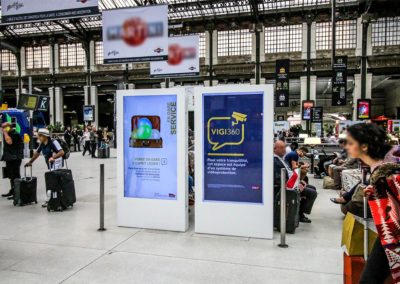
x=368 y=142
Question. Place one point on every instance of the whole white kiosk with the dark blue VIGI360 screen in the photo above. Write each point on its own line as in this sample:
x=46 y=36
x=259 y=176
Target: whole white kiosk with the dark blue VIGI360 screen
x=234 y=160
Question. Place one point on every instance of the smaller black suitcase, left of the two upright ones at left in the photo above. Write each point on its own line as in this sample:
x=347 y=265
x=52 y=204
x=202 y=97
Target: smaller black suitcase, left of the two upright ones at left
x=25 y=190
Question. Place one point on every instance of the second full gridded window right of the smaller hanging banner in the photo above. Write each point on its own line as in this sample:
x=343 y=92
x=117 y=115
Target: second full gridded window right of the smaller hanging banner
x=280 y=39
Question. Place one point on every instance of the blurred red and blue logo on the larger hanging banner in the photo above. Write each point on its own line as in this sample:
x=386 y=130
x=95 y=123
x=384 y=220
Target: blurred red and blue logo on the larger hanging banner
x=135 y=31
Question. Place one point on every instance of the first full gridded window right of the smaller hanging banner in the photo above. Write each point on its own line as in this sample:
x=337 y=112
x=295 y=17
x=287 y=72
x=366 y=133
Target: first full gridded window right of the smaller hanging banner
x=236 y=42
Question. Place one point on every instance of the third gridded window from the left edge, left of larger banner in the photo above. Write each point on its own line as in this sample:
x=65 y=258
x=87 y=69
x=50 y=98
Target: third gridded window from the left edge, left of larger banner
x=72 y=55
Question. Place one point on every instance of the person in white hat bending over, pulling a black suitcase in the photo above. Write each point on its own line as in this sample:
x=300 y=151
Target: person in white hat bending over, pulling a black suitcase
x=50 y=148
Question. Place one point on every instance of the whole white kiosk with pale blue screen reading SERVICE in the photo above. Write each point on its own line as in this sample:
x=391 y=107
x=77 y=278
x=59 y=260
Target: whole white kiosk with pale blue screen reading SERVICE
x=152 y=167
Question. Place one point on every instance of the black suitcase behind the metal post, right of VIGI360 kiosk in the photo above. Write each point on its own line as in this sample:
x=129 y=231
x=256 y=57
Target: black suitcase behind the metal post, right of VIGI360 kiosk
x=292 y=211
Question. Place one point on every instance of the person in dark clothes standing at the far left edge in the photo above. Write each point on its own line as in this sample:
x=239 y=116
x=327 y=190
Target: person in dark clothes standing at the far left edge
x=13 y=155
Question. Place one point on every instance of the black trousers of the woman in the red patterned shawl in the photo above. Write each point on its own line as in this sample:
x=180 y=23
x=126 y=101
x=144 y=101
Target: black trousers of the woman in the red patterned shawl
x=377 y=268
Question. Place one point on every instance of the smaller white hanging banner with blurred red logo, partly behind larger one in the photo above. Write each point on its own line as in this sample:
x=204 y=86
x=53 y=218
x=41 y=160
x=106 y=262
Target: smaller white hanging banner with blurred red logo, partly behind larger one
x=183 y=59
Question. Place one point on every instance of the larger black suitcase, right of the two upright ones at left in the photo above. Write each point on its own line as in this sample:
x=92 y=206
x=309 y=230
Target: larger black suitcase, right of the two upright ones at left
x=61 y=185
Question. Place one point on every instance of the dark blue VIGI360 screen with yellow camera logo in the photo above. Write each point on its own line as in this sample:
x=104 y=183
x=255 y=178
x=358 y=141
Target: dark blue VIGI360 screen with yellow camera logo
x=233 y=147
